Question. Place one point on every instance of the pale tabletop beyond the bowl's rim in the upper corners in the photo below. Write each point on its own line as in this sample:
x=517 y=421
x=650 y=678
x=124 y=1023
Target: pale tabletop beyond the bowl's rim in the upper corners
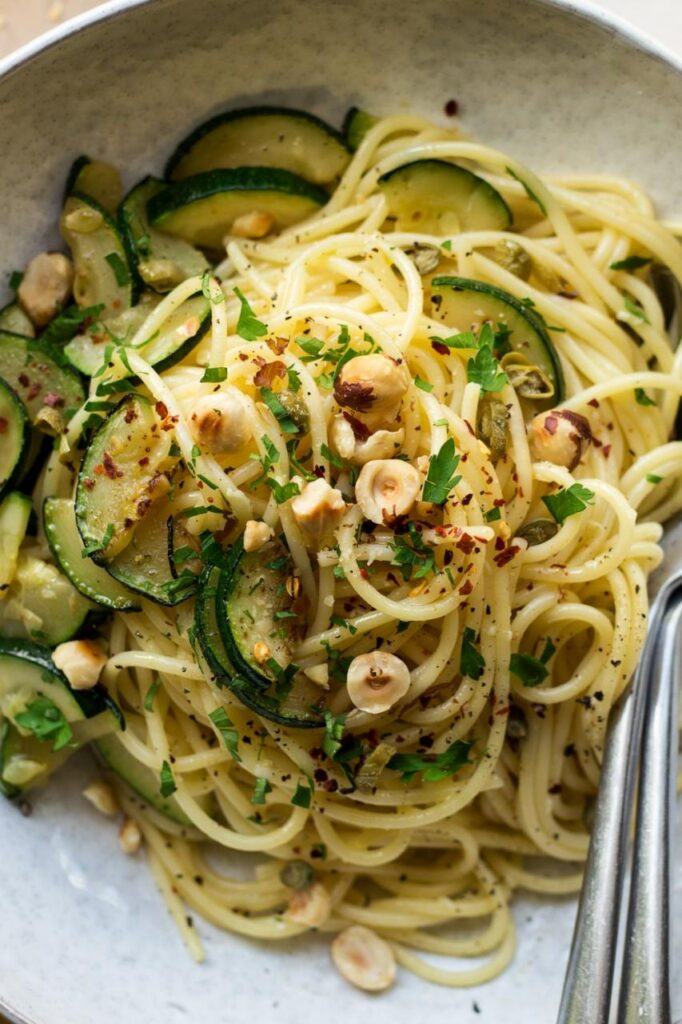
x=22 y=21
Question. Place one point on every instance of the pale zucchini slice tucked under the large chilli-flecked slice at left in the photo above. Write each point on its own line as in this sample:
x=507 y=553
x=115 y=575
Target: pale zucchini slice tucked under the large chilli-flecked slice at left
x=67 y=547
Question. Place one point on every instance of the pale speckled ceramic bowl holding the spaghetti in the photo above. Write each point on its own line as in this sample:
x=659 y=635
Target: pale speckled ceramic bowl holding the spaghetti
x=84 y=937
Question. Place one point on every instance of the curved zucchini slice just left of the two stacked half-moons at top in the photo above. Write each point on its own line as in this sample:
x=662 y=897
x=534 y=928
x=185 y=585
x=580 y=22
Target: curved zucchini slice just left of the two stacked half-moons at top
x=162 y=262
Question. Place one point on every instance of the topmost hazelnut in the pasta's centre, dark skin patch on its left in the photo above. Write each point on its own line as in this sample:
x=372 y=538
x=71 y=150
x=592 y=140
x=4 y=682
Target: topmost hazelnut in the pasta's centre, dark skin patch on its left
x=374 y=388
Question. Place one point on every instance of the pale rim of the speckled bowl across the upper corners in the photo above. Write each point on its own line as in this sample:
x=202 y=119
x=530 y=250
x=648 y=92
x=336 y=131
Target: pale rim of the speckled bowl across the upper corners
x=585 y=11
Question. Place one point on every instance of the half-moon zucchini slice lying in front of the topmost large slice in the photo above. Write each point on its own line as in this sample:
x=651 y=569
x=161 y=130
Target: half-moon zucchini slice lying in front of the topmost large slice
x=203 y=209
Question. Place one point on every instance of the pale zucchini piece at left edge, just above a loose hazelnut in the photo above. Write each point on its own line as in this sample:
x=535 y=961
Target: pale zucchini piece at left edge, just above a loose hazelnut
x=42 y=605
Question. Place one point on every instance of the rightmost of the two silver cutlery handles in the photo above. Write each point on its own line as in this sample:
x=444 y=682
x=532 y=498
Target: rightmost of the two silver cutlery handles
x=646 y=986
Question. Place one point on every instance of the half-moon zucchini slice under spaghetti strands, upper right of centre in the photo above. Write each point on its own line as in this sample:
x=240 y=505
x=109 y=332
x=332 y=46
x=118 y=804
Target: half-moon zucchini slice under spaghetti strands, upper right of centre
x=439 y=198
